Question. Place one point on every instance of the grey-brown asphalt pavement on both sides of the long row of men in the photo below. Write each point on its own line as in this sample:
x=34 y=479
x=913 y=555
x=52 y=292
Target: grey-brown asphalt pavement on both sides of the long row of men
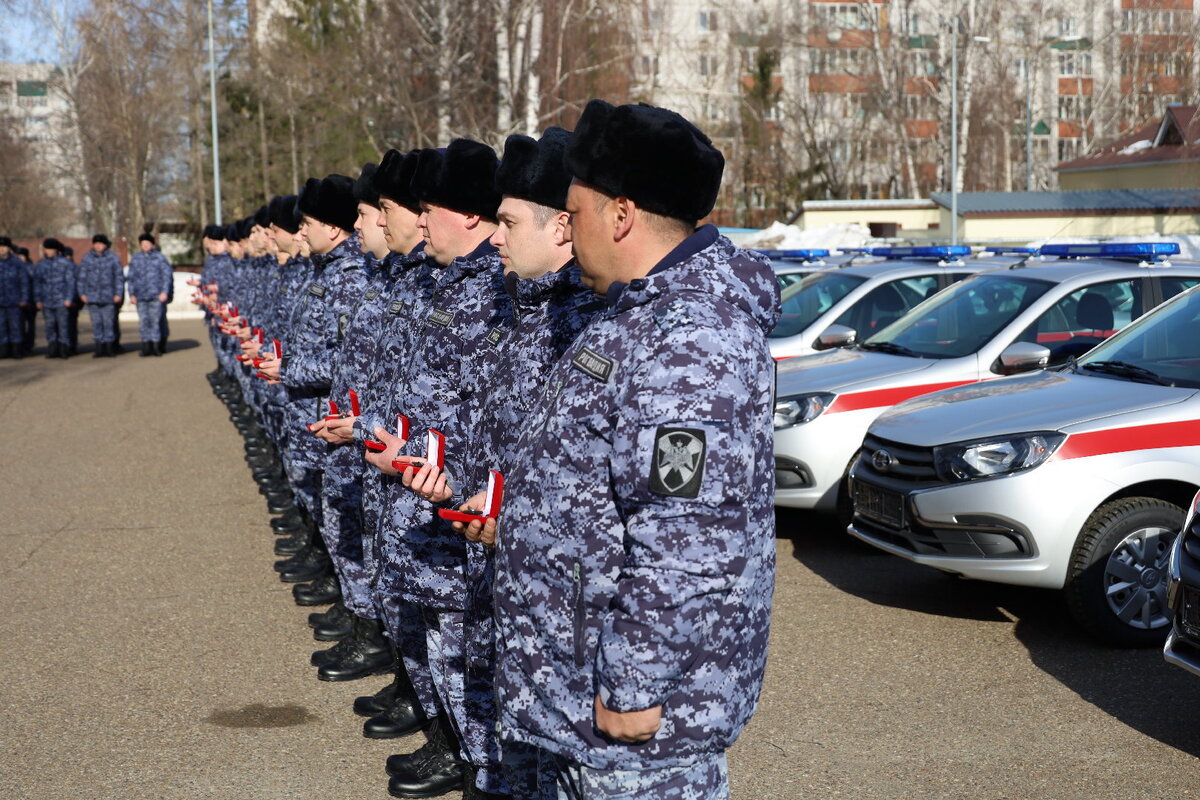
x=149 y=651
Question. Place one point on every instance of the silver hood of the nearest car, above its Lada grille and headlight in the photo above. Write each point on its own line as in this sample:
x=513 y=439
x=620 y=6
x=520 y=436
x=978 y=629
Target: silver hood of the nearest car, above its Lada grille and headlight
x=1042 y=401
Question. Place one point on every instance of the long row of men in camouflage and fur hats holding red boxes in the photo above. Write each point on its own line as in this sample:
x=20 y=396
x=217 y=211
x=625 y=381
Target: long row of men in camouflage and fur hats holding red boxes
x=554 y=322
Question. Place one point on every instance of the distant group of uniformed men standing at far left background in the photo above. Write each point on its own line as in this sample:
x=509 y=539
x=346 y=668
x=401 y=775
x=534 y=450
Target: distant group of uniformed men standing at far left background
x=59 y=288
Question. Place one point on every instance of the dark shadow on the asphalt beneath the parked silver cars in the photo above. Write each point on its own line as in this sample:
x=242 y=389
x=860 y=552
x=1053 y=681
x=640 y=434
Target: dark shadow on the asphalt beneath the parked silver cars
x=1135 y=687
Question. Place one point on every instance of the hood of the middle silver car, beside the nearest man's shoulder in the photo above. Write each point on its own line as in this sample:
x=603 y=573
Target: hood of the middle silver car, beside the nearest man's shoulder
x=843 y=370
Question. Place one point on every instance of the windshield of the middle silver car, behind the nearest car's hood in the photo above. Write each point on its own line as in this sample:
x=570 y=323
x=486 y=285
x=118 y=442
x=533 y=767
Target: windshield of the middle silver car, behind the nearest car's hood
x=961 y=320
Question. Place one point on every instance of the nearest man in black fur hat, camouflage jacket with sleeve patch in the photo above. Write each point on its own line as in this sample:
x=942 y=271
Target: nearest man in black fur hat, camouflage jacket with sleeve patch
x=635 y=560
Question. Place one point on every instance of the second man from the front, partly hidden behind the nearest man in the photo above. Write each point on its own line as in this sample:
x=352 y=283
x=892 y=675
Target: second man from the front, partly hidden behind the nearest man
x=551 y=306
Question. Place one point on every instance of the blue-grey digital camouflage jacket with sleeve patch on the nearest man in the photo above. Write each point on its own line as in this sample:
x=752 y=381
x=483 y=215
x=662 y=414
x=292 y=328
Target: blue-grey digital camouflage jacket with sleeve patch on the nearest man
x=637 y=550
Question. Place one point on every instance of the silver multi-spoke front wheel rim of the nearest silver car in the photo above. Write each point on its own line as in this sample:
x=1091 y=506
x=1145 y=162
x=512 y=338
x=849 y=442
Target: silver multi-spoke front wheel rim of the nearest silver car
x=1136 y=579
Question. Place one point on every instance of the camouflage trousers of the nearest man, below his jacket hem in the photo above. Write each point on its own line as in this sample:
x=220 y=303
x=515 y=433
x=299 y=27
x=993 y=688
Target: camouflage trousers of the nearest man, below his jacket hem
x=703 y=780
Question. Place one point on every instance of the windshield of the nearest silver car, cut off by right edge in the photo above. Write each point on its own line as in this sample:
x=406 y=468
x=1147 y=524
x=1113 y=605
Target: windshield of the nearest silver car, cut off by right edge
x=1161 y=348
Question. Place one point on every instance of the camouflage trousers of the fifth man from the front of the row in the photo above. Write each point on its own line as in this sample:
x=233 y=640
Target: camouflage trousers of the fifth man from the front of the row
x=343 y=524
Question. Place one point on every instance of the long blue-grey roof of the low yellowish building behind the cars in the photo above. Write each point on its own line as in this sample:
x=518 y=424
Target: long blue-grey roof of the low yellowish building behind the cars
x=1125 y=200
